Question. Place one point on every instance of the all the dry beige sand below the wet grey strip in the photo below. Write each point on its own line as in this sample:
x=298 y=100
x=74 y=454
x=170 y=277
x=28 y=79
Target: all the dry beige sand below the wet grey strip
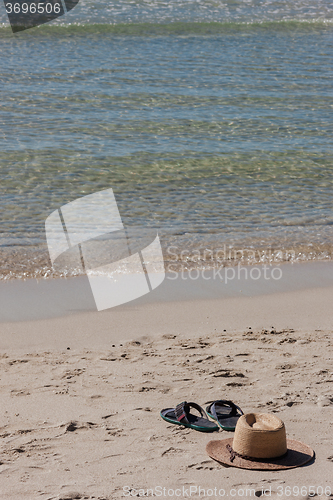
x=81 y=396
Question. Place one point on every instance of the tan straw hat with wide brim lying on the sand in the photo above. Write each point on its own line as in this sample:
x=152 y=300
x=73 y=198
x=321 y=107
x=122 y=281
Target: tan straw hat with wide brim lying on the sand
x=260 y=443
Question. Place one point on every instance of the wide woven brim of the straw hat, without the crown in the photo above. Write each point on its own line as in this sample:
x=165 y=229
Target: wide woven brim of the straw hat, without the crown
x=298 y=454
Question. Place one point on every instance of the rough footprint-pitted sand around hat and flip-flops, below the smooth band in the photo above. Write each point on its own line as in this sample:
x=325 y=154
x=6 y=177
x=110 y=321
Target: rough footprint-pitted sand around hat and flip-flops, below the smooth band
x=82 y=423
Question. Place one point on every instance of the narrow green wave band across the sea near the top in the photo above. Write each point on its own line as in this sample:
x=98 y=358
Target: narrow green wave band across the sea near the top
x=175 y=28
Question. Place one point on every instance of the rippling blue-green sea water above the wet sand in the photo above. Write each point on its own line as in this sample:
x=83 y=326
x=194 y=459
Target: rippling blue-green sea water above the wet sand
x=212 y=121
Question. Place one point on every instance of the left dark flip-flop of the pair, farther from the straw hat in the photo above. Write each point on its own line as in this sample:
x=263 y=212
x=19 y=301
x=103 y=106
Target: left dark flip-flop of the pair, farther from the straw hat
x=181 y=416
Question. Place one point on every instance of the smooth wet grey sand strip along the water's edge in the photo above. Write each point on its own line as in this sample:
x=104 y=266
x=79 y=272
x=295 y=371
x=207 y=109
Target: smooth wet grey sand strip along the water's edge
x=32 y=299
